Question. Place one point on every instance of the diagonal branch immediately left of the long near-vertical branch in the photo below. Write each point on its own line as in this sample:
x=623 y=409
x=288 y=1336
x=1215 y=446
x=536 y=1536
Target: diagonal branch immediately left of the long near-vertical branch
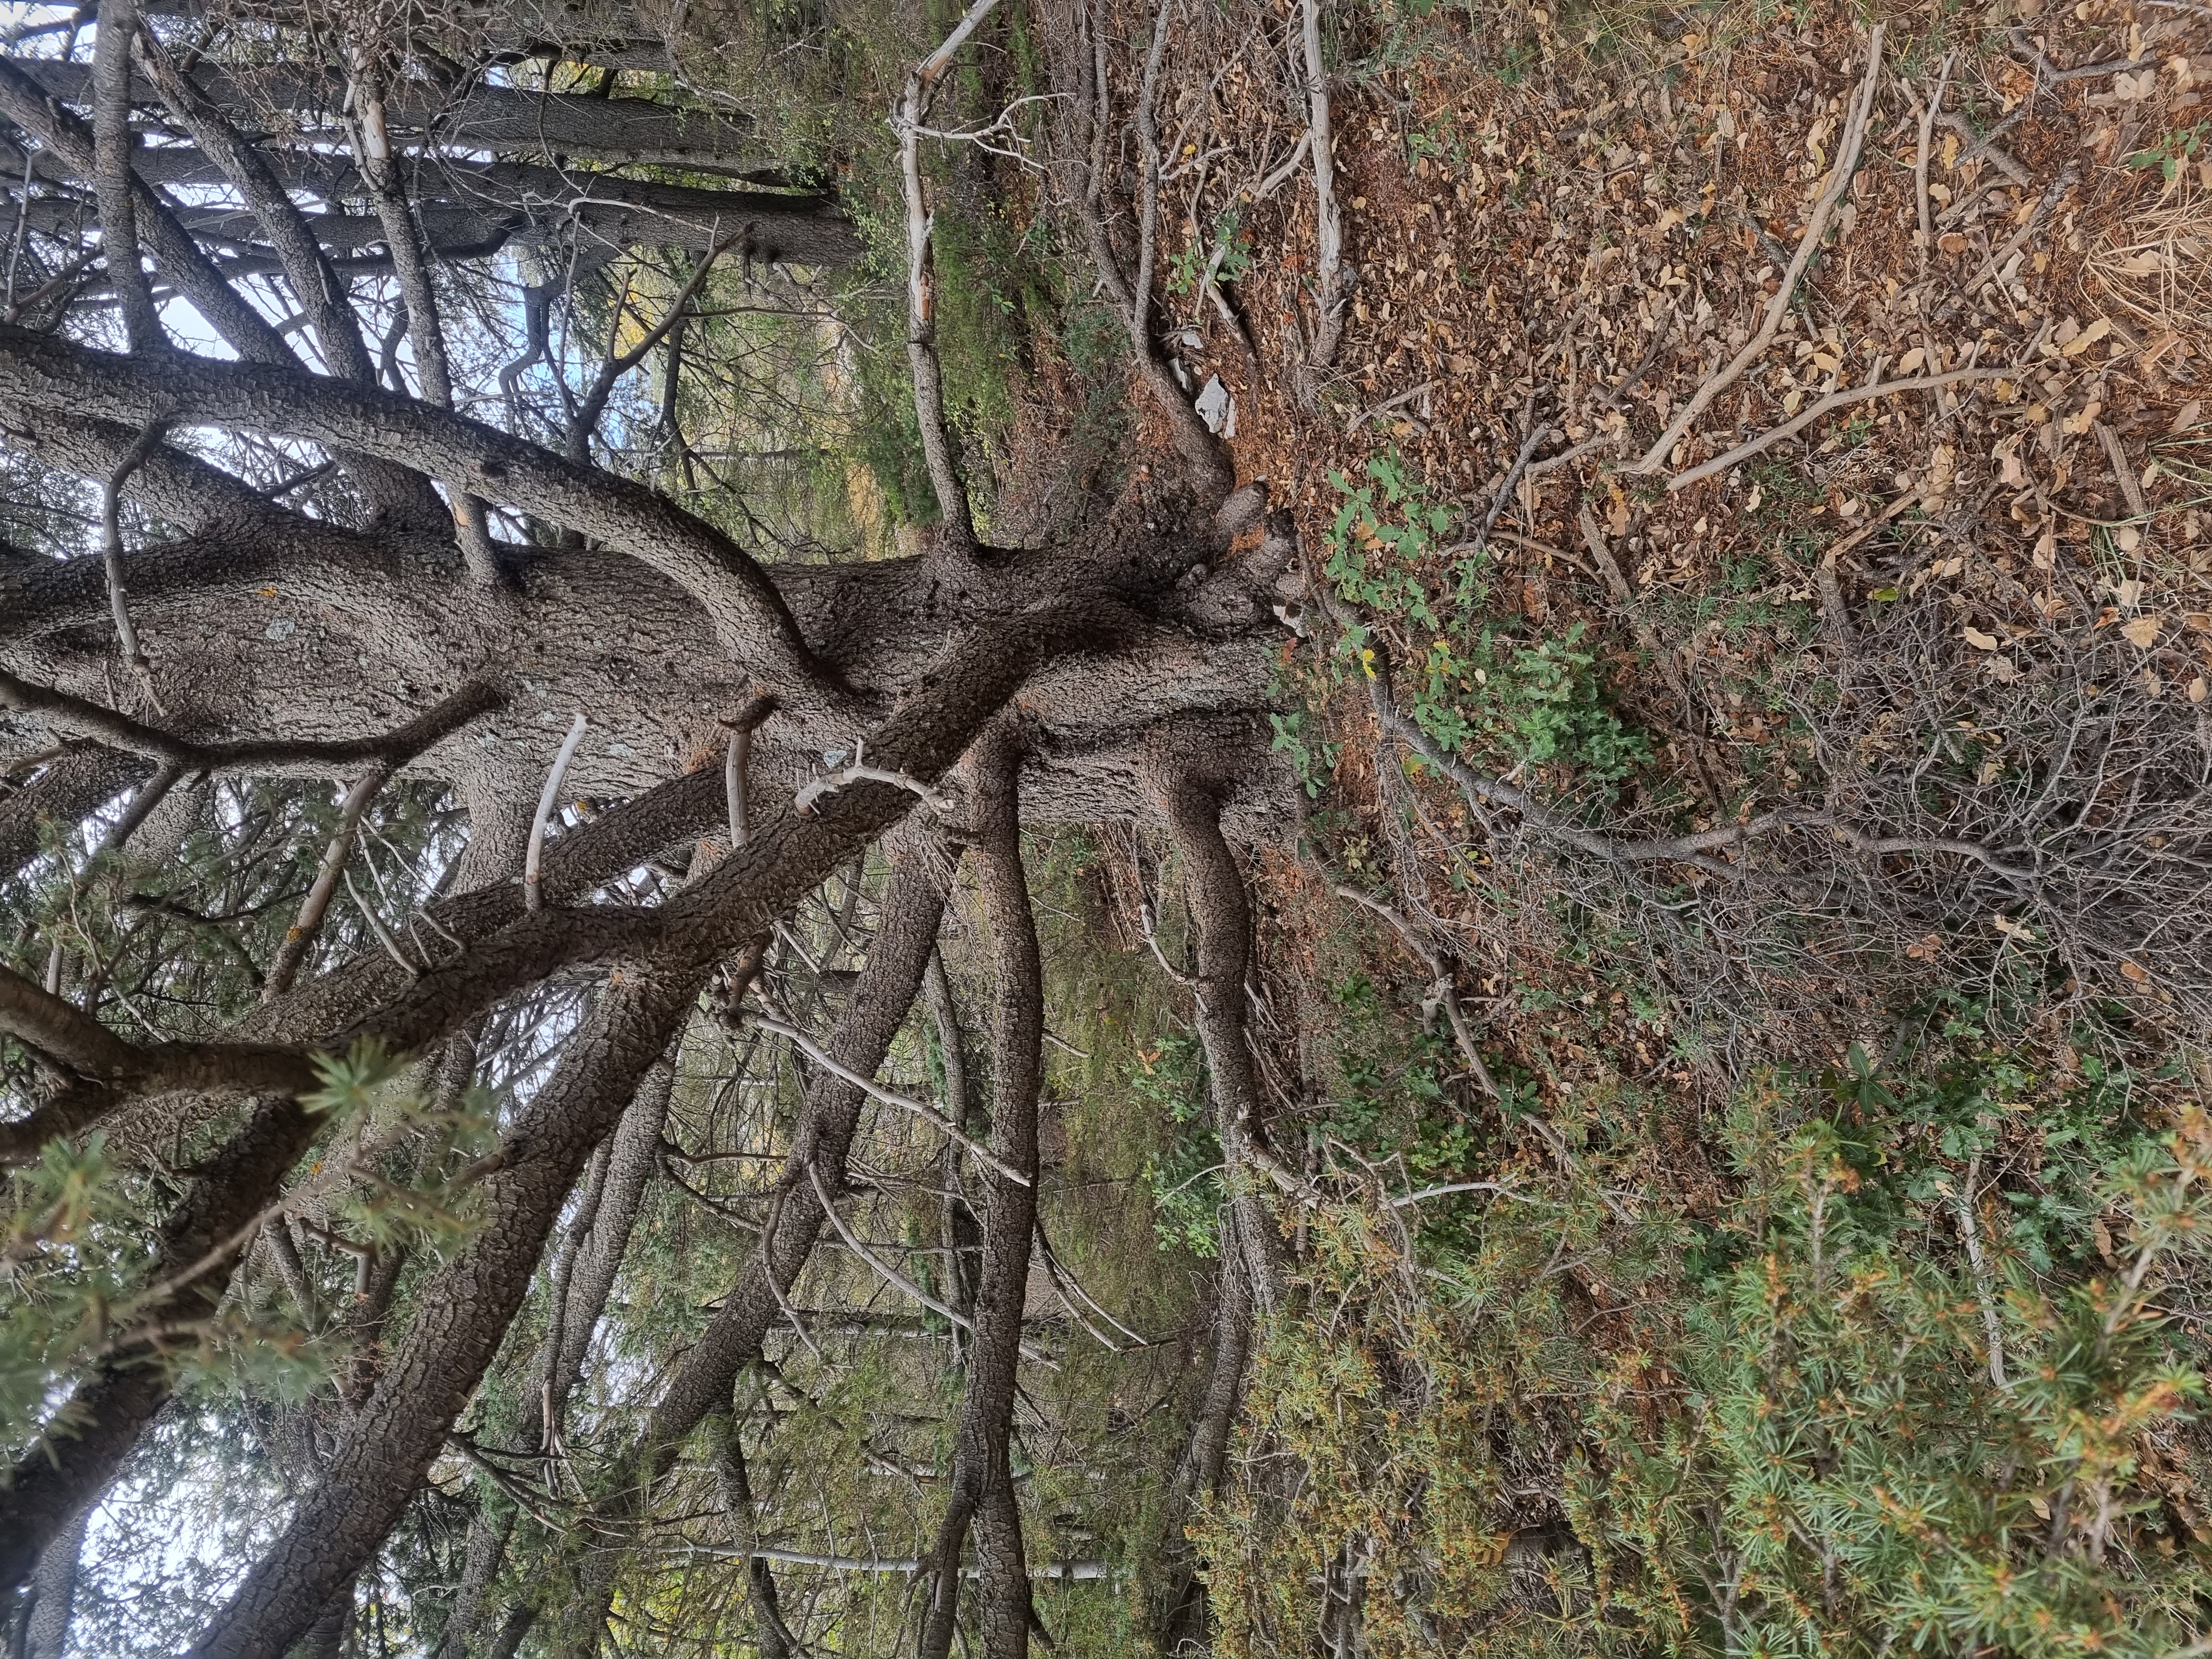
x=875 y=1010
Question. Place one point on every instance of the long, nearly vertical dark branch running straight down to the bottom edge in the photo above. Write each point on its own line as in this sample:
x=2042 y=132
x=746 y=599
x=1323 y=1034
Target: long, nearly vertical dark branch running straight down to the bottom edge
x=983 y=1494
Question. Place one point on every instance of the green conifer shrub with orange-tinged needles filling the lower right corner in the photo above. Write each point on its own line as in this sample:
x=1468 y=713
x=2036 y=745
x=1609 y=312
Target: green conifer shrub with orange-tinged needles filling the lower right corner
x=1914 y=1373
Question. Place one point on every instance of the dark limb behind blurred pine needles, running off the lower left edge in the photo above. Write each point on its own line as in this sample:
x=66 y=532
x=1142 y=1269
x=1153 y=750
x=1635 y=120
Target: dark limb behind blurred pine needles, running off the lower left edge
x=74 y=1463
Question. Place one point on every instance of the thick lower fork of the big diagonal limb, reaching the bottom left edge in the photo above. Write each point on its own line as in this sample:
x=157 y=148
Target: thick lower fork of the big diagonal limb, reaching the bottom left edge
x=466 y=1311
